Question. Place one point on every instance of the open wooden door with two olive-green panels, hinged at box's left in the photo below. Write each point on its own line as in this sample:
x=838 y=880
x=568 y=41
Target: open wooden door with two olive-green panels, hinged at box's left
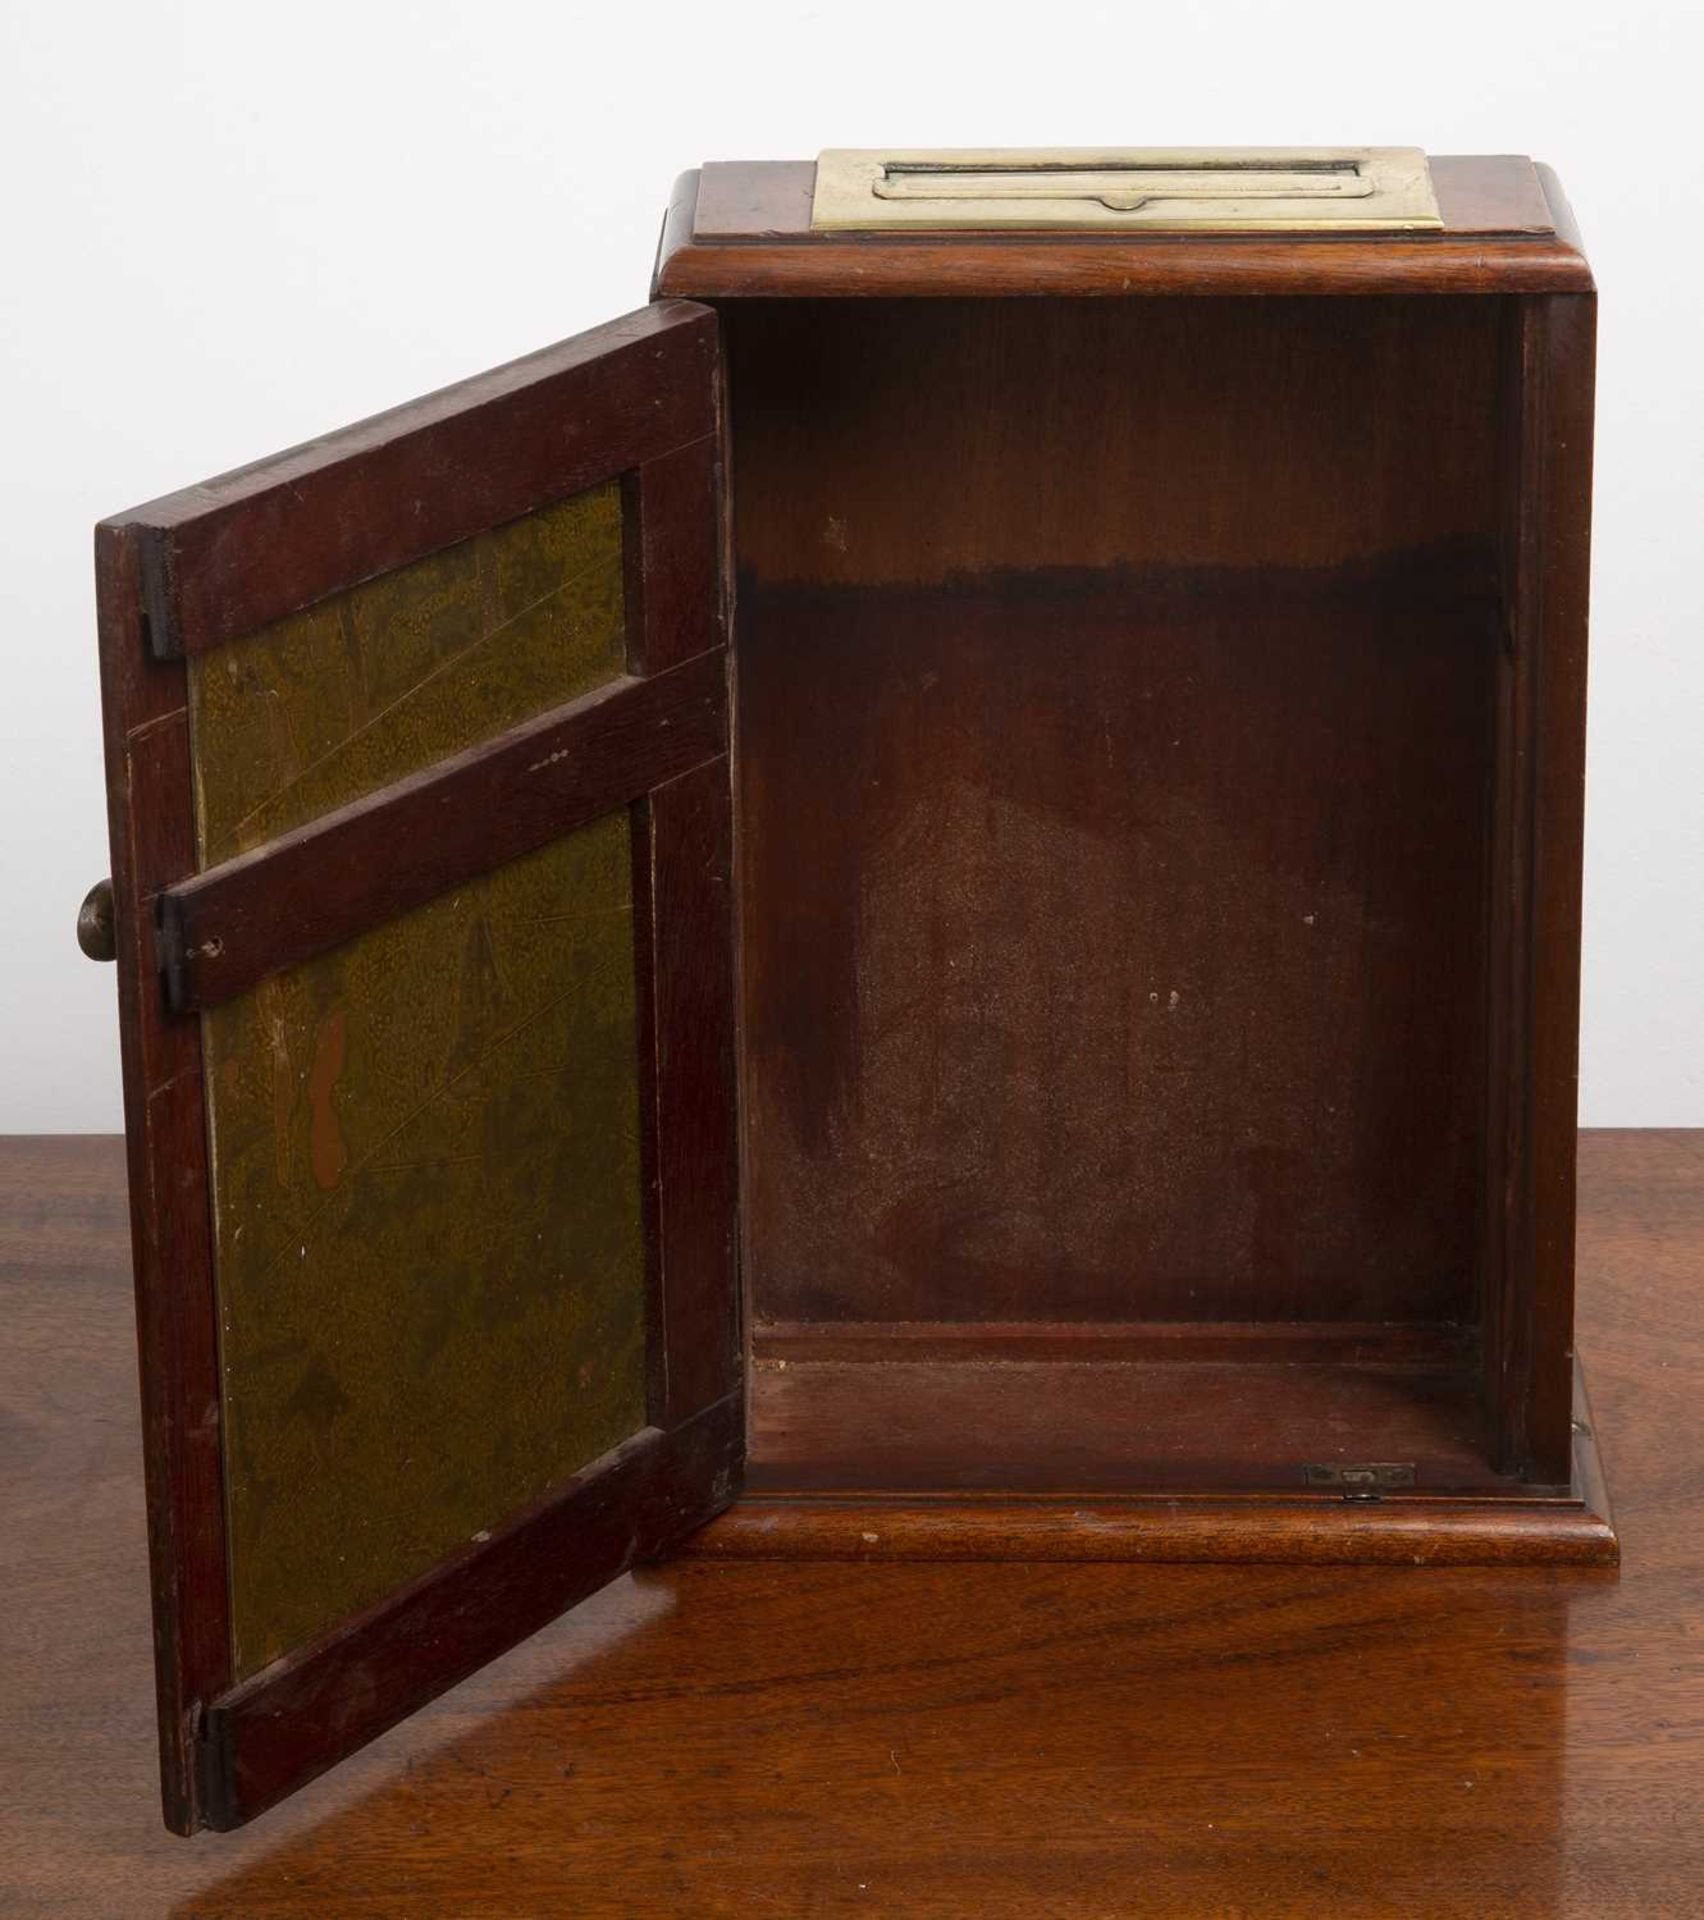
x=417 y=748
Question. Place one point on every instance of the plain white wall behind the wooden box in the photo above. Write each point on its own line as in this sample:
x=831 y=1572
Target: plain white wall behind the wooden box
x=229 y=228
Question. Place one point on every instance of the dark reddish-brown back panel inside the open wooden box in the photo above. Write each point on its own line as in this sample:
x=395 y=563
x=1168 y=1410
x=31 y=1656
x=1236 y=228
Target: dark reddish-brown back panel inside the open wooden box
x=1116 y=702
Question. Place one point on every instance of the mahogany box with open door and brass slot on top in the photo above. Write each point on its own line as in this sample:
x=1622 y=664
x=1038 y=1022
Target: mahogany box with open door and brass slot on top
x=926 y=898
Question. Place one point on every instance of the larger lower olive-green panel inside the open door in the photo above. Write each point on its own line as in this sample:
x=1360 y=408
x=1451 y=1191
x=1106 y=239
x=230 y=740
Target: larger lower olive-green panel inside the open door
x=429 y=1234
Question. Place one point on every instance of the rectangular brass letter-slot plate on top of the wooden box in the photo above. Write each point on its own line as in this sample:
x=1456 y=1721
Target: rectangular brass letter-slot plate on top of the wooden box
x=1183 y=189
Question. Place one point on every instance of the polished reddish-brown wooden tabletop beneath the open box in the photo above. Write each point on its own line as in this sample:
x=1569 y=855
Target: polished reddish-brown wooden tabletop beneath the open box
x=909 y=1740
